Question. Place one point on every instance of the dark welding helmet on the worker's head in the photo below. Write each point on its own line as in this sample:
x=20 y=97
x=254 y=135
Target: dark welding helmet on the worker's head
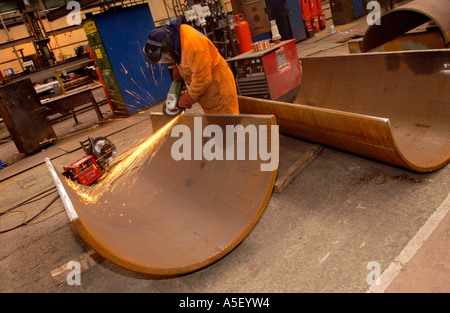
x=157 y=48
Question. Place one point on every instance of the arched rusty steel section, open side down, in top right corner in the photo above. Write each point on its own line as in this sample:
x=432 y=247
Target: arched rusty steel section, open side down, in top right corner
x=407 y=17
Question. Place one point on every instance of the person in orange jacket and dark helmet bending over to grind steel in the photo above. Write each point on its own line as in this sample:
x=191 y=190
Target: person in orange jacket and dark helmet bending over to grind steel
x=209 y=80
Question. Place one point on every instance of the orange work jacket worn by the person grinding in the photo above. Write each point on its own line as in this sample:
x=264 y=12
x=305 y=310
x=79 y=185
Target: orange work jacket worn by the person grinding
x=206 y=73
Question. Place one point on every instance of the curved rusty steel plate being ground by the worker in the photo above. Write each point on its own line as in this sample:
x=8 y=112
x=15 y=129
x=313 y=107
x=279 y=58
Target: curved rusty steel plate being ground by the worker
x=173 y=217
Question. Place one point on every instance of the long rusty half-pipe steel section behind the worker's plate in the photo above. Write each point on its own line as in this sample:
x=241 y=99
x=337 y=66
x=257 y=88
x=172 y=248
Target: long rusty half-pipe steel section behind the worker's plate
x=392 y=107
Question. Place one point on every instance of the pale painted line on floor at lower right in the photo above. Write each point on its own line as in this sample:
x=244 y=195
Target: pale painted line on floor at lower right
x=411 y=248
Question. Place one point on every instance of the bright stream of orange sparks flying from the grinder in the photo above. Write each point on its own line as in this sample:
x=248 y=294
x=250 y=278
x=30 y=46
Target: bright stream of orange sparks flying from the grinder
x=126 y=163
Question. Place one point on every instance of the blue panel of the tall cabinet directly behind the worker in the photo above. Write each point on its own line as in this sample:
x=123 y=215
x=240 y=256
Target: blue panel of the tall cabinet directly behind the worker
x=124 y=32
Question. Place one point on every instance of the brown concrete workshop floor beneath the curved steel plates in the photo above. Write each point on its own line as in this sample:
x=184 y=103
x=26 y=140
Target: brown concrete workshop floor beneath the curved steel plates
x=339 y=221
